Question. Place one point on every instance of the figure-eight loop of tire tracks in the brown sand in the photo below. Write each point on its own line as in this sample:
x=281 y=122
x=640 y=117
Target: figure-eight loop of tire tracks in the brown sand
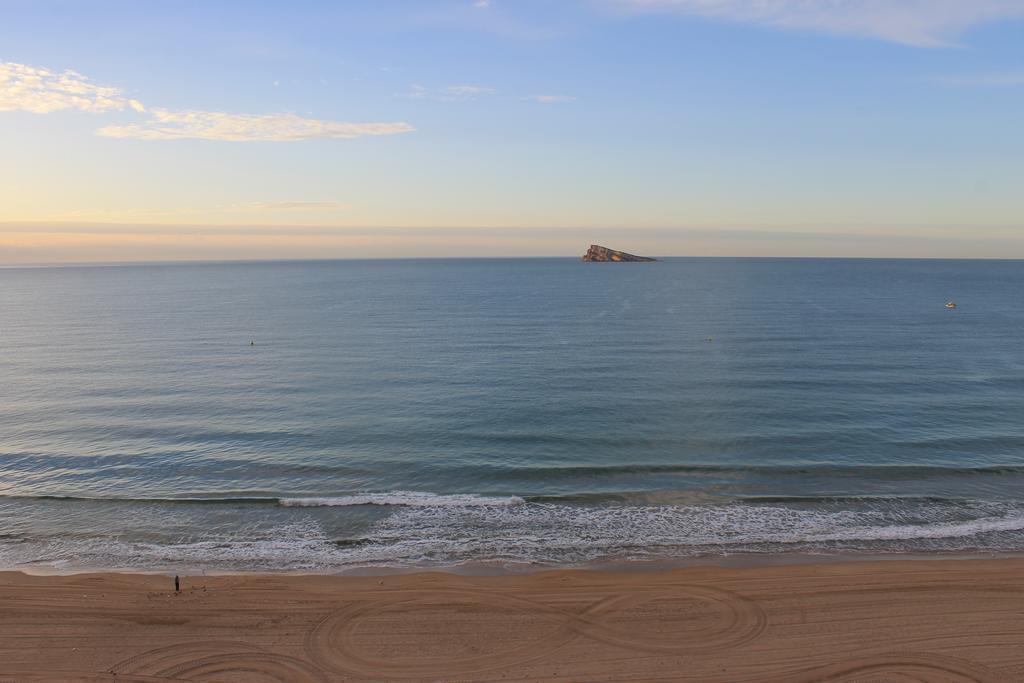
x=727 y=620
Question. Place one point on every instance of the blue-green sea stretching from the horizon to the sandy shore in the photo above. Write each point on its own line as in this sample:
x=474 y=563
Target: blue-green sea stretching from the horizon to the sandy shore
x=525 y=411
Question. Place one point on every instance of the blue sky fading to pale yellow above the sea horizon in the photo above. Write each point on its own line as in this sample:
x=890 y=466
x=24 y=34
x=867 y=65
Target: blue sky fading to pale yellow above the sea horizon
x=166 y=131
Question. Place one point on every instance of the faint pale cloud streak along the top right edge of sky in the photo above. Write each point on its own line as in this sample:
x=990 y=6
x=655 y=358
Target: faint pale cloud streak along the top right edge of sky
x=919 y=23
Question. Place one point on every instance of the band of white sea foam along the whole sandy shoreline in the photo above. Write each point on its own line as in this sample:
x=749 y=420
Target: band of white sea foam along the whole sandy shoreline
x=442 y=532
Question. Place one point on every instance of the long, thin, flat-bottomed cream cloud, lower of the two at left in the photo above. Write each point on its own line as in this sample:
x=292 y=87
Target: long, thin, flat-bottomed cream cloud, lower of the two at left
x=167 y=125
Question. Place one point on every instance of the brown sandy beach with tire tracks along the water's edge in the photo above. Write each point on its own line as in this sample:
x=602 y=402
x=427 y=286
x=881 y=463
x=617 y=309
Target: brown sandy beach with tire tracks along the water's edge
x=870 y=621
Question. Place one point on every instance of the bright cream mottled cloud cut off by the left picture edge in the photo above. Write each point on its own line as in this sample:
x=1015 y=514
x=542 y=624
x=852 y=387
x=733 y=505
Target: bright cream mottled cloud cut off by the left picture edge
x=41 y=92
